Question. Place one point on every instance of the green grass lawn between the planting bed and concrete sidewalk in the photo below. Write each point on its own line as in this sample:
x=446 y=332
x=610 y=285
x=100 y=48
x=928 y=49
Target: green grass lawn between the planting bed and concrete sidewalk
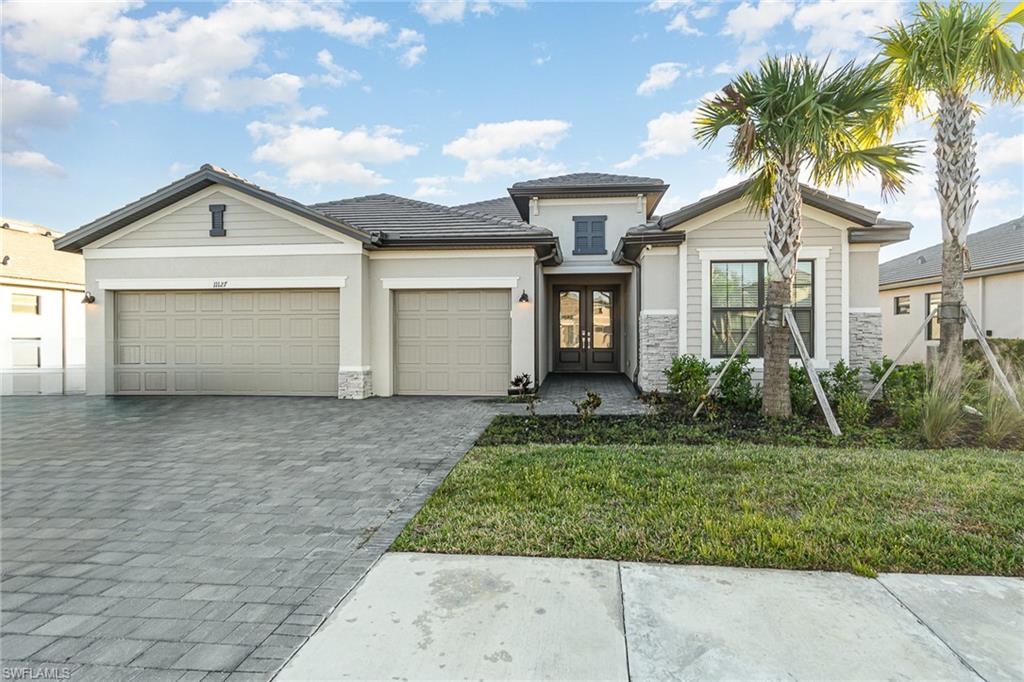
x=865 y=510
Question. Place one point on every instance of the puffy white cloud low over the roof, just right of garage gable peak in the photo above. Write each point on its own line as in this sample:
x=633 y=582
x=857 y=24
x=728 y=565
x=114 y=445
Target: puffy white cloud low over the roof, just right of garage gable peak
x=316 y=156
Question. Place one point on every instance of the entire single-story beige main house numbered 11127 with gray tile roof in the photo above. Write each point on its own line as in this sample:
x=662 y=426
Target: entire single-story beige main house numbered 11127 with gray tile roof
x=214 y=285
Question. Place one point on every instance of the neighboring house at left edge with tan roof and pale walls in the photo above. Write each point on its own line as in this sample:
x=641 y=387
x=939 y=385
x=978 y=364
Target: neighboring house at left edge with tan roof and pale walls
x=42 y=344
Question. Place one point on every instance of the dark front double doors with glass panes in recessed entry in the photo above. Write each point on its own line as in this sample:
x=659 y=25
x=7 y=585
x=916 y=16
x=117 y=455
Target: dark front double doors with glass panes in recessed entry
x=586 y=329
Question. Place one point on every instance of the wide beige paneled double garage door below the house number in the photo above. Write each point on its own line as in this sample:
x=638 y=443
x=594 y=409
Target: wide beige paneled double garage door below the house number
x=242 y=343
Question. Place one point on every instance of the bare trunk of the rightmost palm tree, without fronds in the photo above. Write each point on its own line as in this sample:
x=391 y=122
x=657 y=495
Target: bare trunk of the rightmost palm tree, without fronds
x=957 y=176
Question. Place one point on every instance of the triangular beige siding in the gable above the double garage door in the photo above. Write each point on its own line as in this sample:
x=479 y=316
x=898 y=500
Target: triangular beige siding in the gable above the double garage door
x=245 y=225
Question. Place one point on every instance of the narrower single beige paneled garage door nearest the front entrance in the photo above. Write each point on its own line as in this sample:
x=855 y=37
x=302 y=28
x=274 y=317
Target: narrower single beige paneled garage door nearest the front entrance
x=454 y=343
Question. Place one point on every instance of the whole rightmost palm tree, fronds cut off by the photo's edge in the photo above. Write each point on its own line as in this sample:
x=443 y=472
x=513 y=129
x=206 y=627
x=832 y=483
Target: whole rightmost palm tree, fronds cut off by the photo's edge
x=954 y=53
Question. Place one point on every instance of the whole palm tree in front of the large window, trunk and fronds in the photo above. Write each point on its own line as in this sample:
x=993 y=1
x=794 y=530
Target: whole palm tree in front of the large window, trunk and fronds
x=792 y=116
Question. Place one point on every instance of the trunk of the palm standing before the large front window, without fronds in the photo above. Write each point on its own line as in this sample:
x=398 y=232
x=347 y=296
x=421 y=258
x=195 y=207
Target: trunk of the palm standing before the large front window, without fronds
x=784 y=242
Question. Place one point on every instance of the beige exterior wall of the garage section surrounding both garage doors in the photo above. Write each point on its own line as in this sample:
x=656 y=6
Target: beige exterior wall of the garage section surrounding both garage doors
x=273 y=251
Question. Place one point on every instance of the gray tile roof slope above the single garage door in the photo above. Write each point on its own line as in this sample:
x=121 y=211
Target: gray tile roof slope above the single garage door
x=404 y=220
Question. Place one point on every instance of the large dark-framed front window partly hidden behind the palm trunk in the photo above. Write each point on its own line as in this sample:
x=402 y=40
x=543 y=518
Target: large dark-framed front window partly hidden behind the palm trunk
x=738 y=290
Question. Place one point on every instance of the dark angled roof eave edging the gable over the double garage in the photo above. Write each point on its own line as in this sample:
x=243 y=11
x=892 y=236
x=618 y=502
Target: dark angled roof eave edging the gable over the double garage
x=180 y=190
